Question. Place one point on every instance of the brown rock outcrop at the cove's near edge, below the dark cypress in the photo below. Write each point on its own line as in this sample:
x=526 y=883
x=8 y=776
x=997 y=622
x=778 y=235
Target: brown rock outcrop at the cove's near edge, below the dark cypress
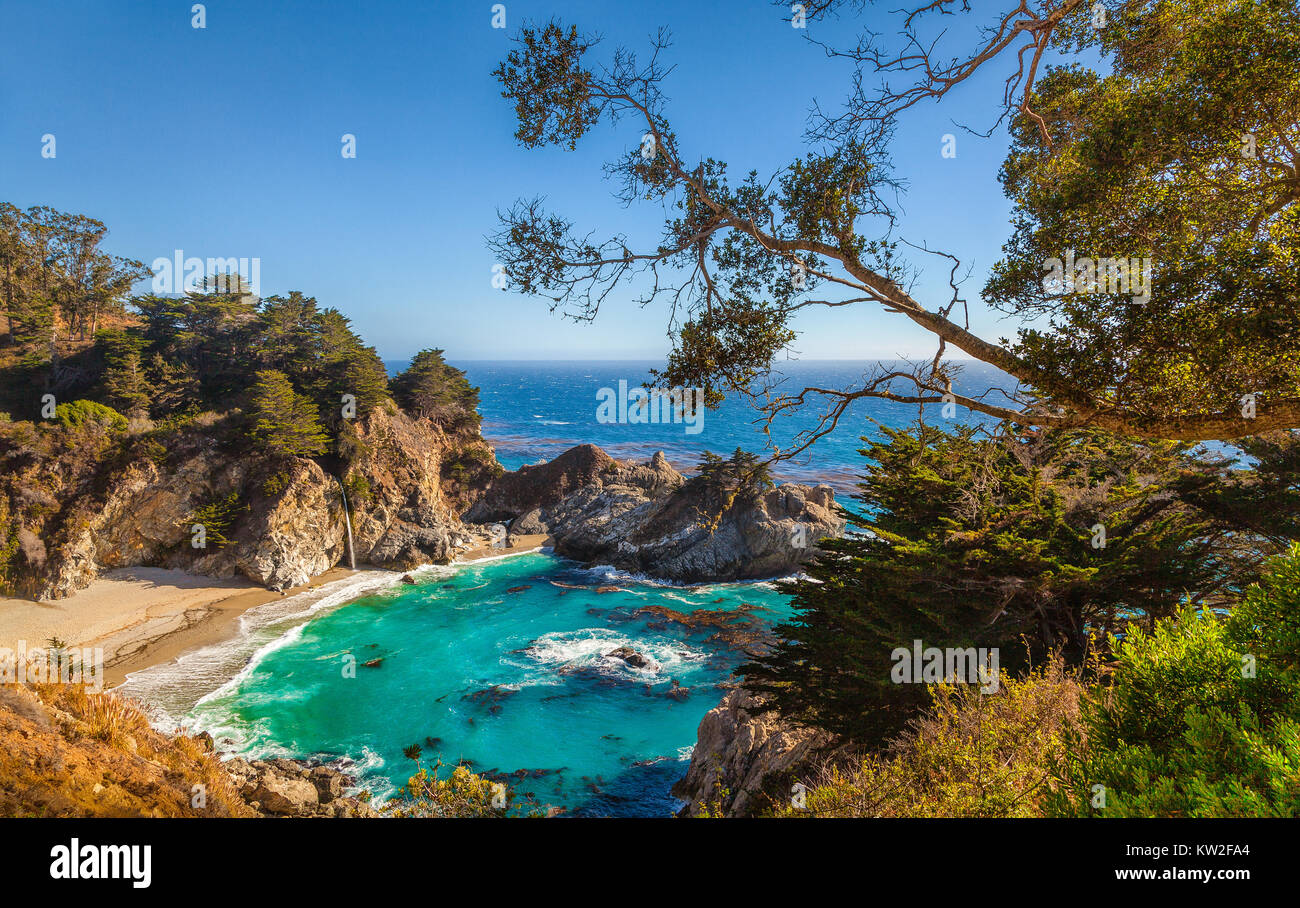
x=746 y=759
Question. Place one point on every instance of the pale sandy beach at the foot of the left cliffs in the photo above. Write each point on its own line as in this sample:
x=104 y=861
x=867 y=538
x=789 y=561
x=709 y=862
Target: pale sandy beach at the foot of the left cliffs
x=149 y=616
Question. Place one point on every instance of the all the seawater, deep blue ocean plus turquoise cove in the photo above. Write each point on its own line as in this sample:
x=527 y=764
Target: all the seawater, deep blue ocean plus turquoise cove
x=504 y=664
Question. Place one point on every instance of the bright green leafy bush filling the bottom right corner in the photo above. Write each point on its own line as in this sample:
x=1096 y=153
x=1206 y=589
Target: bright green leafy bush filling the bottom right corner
x=1202 y=717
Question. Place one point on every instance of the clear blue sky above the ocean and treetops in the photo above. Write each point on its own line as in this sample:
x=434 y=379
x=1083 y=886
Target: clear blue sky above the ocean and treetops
x=226 y=142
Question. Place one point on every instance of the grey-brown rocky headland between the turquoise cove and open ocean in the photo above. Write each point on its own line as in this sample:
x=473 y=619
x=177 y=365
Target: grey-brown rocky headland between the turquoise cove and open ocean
x=647 y=518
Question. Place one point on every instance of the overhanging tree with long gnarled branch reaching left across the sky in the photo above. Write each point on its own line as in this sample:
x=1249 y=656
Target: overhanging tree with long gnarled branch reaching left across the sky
x=1126 y=141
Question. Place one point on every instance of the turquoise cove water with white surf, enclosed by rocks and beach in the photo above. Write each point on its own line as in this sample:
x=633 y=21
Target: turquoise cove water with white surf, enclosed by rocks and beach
x=515 y=684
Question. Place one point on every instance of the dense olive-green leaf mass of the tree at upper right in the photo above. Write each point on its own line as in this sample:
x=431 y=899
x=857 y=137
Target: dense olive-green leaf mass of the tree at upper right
x=1171 y=152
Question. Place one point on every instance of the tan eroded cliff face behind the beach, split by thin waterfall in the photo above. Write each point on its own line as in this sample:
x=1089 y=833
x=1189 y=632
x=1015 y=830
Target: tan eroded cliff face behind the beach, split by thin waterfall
x=275 y=521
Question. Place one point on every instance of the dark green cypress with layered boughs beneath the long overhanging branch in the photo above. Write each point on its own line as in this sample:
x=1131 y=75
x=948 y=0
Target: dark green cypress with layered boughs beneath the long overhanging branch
x=989 y=543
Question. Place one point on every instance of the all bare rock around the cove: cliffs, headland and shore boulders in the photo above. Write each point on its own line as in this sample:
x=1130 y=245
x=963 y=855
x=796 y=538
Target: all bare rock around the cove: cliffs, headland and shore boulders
x=645 y=518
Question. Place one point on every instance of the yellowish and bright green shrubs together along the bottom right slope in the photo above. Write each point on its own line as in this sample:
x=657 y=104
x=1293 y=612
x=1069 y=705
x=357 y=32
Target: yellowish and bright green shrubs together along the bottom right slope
x=1198 y=717
